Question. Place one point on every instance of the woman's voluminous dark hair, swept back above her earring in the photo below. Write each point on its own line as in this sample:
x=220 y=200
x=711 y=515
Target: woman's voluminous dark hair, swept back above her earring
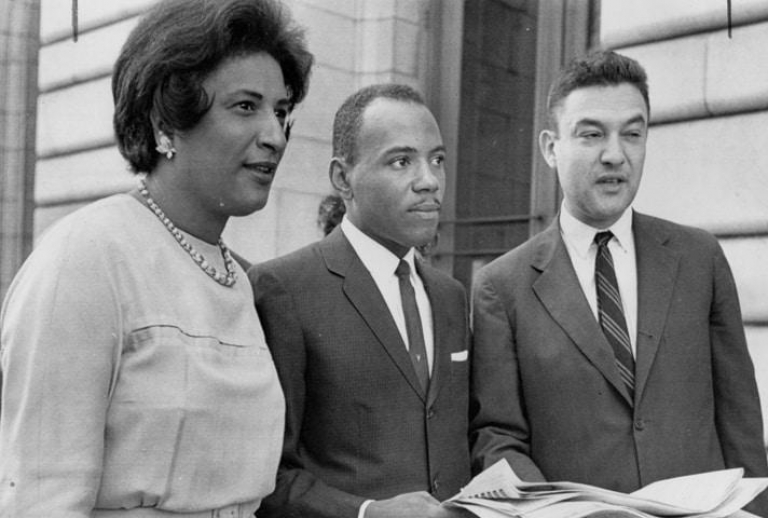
x=174 y=48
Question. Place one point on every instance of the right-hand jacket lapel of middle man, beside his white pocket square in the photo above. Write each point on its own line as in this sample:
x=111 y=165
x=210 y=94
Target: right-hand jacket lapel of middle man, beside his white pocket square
x=441 y=363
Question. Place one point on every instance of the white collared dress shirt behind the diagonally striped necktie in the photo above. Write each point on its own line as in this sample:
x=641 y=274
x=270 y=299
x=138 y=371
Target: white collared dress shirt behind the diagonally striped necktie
x=579 y=241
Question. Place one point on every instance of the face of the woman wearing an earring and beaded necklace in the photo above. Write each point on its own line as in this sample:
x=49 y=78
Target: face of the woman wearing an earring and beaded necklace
x=228 y=160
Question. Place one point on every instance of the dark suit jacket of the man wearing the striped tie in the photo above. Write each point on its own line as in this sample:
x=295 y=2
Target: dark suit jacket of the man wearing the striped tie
x=547 y=396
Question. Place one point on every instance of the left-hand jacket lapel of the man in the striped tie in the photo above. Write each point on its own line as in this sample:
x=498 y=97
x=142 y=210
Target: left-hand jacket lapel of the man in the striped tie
x=559 y=291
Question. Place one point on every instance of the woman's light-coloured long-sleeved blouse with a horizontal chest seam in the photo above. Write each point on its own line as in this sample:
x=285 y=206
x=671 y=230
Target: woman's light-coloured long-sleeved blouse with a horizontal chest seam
x=131 y=378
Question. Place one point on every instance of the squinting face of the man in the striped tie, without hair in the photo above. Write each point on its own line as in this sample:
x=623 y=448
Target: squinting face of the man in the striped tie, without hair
x=599 y=151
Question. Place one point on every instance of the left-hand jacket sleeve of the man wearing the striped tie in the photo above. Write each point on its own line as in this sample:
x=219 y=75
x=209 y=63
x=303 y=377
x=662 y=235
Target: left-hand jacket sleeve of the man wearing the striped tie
x=498 y=424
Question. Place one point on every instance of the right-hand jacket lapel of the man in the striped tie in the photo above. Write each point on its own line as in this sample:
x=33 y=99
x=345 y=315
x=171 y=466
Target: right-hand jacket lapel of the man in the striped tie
x=656 y=272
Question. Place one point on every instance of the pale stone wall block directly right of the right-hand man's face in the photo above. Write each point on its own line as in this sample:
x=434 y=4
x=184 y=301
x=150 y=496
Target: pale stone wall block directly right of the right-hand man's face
x=708 y=173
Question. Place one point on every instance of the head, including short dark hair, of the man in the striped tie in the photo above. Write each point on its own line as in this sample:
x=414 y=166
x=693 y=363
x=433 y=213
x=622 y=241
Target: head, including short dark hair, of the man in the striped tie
x=597 y=138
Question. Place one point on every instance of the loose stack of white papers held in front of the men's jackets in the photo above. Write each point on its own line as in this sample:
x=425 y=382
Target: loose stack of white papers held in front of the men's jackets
x=498 y=493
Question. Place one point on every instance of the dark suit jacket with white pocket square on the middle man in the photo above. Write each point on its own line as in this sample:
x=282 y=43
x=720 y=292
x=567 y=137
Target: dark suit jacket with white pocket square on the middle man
x=358 y=425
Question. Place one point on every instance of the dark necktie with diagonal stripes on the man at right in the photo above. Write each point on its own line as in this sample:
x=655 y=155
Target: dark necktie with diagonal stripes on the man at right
x=611 y=312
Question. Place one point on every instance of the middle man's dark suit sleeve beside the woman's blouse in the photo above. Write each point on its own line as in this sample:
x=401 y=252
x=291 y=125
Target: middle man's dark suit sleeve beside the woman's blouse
x=298 y=492
